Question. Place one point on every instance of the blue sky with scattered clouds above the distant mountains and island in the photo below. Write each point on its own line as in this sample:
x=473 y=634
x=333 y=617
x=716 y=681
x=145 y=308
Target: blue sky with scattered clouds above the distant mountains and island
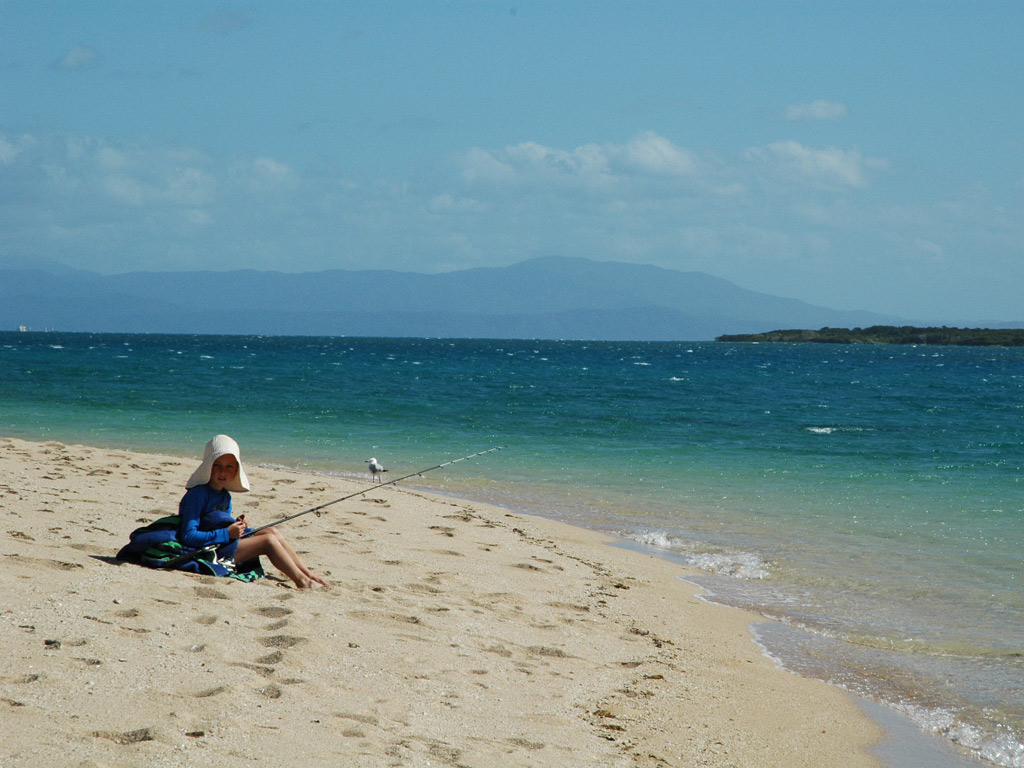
x=854 y=155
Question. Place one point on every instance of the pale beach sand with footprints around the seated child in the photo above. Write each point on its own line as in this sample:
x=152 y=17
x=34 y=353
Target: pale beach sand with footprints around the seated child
x=453 y=634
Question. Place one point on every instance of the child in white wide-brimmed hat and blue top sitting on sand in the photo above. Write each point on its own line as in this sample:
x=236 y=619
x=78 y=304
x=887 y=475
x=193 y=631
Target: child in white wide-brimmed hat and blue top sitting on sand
x=206 y=517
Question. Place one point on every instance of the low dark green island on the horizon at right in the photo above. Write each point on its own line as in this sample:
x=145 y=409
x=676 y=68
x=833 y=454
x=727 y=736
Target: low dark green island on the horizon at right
x=982 y=337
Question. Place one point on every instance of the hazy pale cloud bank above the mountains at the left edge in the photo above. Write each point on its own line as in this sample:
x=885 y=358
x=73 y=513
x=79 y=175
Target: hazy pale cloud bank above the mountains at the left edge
x=95 y=204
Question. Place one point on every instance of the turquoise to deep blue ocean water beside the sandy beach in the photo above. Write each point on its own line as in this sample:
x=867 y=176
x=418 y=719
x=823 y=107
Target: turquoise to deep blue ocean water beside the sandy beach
x=869 y=497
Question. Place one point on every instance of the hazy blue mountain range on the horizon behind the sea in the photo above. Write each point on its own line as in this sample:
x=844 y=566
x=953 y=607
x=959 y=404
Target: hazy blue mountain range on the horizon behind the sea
x=550 y=298
